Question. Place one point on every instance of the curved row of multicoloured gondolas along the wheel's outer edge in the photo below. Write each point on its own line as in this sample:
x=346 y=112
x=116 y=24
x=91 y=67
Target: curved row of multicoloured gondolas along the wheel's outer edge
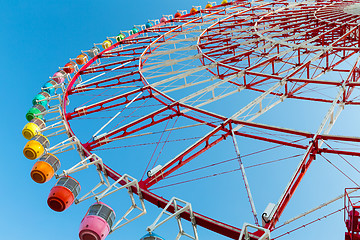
x=97 y=223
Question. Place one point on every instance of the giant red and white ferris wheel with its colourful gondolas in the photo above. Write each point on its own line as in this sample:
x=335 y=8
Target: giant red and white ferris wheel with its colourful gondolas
x=223 y=117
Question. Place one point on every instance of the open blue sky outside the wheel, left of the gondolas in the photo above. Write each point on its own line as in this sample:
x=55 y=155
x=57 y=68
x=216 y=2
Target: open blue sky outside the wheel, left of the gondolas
x=38 y=37
